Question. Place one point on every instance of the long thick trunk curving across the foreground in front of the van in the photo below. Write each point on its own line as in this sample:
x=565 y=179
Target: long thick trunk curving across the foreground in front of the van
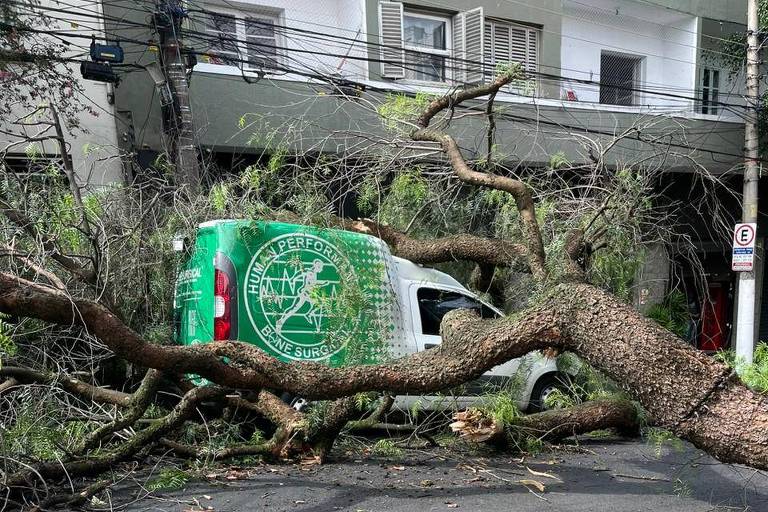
x=697 y=403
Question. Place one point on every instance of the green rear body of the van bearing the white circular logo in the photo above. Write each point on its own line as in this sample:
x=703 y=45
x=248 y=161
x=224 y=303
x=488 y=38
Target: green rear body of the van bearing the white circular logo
x=305 y=293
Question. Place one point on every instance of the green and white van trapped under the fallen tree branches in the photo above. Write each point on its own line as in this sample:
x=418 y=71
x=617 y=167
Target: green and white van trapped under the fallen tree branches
x=303 y=293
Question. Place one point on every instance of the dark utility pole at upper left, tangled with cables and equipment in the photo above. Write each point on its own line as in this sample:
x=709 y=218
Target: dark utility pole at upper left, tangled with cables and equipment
x=177 y=126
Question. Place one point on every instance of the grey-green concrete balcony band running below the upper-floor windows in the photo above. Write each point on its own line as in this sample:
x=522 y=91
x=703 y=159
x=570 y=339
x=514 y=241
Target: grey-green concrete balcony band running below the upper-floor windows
x=530 y=133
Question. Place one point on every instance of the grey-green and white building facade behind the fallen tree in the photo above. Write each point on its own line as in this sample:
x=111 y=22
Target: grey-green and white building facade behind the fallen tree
x=594 y=68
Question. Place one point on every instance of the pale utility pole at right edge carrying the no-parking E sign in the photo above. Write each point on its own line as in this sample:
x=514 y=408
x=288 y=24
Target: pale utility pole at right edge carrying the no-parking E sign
x=745 y=319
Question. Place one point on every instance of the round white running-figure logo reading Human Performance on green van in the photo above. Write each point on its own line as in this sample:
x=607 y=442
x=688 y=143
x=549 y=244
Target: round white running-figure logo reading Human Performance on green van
x=291 y=287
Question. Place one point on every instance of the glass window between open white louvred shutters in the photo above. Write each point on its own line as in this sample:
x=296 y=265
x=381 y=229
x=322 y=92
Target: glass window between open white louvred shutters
x=425 y=39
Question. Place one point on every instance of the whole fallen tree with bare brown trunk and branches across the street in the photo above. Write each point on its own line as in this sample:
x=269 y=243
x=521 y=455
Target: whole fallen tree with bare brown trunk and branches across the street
x=683 y=390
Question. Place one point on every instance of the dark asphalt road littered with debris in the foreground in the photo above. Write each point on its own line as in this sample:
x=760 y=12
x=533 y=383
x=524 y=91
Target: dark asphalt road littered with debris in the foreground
x=598 y=475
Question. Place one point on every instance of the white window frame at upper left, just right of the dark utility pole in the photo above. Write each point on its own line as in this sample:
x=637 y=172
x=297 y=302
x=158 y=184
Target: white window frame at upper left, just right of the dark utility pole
x=240 y=16
